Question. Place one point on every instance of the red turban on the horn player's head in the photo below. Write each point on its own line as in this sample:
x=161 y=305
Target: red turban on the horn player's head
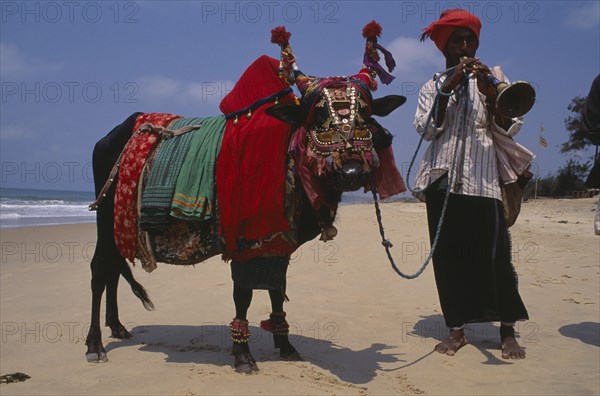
x=440 y=31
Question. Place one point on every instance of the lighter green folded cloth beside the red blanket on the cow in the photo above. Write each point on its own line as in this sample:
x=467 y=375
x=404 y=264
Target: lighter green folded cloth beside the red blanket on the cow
x=195 y=191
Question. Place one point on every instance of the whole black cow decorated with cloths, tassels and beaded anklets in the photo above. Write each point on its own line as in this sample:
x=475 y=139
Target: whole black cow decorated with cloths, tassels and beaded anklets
x=252 y=184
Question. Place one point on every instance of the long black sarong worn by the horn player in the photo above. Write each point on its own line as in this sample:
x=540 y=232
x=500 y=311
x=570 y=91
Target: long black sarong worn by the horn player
x=475 y=278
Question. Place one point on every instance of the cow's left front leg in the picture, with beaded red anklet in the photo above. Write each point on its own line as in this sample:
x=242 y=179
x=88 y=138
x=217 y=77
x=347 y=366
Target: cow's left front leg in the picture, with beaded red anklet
x=240 y=334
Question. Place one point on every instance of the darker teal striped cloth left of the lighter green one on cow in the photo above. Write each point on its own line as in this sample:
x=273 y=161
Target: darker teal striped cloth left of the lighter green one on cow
x=160 y=186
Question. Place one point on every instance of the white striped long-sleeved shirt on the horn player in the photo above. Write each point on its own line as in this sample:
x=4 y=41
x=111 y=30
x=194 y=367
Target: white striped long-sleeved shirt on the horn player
x=463 y=146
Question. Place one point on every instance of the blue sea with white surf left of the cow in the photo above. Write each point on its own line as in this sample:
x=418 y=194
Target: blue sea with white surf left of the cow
x=20 y=207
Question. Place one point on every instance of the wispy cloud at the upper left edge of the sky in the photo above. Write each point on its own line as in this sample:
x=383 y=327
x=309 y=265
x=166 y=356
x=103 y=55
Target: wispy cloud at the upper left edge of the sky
x=14 y=63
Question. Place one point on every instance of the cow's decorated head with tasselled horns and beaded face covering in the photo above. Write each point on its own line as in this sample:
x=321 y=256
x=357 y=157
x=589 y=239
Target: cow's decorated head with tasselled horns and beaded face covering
x=334 y=119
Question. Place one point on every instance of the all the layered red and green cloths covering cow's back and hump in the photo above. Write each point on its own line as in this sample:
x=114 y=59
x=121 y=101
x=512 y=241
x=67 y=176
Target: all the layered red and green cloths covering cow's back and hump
x=254 y=181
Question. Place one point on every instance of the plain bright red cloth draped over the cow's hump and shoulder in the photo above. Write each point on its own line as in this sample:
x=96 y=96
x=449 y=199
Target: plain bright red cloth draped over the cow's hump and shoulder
x=251 y=165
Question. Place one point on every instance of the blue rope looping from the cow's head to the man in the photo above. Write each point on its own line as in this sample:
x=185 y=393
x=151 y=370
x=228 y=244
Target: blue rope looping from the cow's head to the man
x=434 y=111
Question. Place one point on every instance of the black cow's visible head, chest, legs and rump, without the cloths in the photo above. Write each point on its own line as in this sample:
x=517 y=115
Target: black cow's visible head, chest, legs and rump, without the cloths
x=334 y=123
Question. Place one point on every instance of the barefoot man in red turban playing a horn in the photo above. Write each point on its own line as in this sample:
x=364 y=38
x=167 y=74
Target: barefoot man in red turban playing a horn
x=475 y=278
